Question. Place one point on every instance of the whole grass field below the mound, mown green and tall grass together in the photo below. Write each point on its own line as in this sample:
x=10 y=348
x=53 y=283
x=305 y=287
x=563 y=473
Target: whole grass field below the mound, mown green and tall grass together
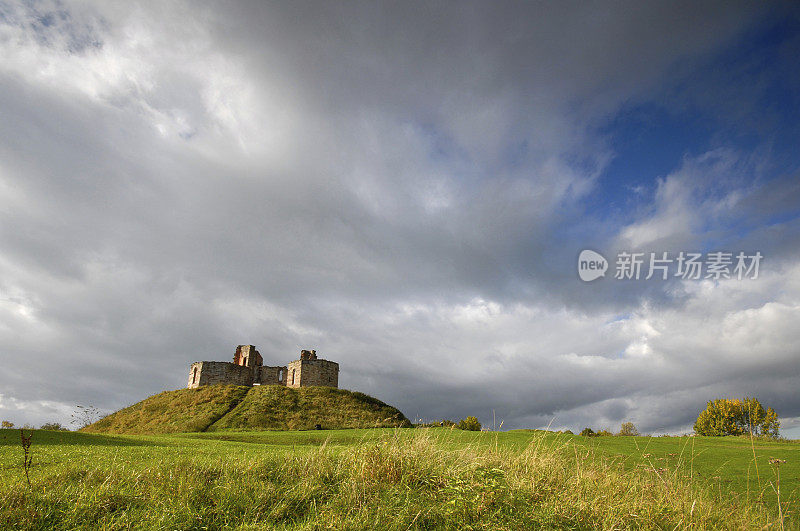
x=395 y=479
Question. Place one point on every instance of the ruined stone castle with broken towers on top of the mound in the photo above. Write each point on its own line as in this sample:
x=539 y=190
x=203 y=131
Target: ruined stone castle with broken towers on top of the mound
x=248 y=369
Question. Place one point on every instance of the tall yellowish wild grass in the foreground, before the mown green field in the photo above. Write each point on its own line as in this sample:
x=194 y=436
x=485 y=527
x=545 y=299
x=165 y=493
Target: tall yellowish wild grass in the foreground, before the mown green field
x=397 y=482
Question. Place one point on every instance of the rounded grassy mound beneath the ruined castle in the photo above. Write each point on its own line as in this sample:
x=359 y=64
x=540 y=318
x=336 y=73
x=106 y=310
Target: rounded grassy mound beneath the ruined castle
x=269 y=407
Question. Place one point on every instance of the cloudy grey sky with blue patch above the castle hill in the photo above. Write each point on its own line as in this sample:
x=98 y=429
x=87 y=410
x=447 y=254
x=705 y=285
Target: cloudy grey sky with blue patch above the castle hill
x=405 y=187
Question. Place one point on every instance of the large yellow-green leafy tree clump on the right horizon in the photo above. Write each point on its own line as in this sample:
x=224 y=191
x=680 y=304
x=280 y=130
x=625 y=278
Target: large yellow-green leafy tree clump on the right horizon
x=726 y=416
